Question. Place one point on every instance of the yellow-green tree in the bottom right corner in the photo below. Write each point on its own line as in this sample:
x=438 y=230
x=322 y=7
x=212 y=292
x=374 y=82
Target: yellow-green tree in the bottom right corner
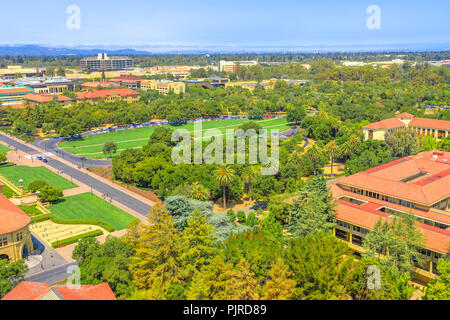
x=439 y=288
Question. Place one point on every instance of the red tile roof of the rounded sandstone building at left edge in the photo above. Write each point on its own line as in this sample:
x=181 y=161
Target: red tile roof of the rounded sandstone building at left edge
x=11 y=217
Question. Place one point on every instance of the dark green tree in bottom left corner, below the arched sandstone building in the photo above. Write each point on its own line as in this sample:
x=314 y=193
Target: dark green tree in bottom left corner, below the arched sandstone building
x=11 y=274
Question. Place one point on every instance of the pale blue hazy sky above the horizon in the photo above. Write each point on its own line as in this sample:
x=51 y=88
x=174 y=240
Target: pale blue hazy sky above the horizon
x=262 y=23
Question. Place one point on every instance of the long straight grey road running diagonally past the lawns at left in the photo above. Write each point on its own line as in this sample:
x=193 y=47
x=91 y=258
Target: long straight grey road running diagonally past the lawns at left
x=122 y=197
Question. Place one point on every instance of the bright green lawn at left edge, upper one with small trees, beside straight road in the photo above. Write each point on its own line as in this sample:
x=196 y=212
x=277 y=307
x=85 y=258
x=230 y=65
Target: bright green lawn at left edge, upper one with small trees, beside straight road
x=30 y=174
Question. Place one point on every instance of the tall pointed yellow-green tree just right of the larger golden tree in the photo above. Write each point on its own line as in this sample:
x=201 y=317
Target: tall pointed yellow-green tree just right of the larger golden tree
x=197 y=245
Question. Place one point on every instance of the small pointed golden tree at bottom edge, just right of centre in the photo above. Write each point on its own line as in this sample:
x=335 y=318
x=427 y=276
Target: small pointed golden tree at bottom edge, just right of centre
x=279 y=287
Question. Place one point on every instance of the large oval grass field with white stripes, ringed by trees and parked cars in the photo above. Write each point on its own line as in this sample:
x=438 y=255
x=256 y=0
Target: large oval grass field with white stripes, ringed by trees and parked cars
x=92 y=146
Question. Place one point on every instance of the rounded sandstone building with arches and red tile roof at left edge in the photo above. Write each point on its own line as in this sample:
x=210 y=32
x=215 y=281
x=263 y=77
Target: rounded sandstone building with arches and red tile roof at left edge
x=15 y=237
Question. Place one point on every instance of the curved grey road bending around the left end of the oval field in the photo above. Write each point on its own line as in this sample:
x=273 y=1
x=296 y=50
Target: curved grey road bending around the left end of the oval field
x=51 y=145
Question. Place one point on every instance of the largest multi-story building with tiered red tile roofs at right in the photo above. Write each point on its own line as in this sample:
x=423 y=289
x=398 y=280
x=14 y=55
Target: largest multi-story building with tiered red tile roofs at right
x=418 y=185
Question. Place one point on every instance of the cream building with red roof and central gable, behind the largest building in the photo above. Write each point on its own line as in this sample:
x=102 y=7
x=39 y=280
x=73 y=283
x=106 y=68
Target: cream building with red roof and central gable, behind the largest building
x=436 y=128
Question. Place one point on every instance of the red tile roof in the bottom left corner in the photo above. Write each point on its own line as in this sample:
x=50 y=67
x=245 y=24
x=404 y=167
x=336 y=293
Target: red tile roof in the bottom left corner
x=41 y=291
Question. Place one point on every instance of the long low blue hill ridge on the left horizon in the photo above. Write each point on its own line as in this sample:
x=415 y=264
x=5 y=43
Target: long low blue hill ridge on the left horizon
x=37 y=50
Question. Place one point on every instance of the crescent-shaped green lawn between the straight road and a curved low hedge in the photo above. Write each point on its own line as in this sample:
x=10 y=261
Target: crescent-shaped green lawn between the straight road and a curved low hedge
x=87 y=206
